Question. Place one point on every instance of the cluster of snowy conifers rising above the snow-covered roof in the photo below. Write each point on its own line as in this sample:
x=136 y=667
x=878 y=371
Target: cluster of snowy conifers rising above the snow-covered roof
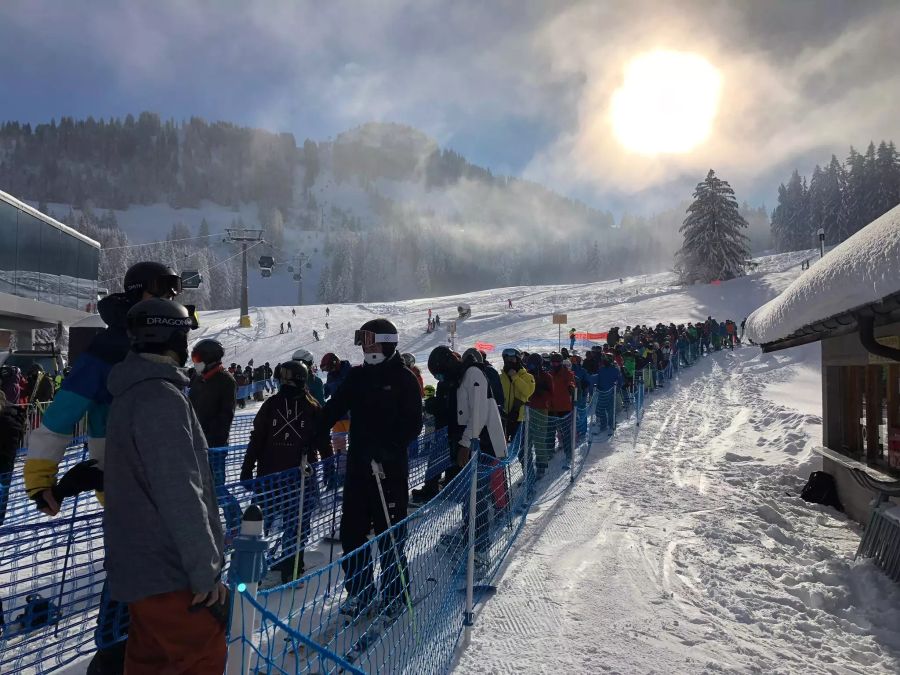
x=841 y=198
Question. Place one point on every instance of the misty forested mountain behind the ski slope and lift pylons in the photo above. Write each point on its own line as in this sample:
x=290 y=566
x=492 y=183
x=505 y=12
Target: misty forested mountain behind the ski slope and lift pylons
x=382 y=210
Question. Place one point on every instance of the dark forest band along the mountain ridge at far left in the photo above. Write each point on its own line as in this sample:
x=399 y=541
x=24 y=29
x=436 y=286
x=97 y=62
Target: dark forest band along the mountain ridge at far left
x=118 y=162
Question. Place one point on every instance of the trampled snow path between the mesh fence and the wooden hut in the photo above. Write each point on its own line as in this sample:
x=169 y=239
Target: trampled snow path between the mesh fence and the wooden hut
x=687 y=549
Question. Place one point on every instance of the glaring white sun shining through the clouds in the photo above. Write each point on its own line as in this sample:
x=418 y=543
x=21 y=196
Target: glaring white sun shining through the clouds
x=666 y=104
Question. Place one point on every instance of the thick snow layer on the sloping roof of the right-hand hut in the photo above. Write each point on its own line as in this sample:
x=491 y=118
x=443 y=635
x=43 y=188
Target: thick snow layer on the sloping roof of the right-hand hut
x=858 y=272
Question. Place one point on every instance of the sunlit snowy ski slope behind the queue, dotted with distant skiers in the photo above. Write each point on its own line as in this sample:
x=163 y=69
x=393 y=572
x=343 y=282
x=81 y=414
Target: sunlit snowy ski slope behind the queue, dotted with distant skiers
x=592 y=307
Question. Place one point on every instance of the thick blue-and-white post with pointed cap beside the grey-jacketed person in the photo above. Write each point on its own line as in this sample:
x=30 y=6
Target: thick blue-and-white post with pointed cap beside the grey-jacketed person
x=247 y=569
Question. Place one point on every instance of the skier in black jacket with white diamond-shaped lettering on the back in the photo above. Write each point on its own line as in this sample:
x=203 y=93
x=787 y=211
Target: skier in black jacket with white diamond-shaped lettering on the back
x=284 y=430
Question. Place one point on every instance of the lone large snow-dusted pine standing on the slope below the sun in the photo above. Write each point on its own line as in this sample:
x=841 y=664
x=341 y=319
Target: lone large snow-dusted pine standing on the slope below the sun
x=714 y=245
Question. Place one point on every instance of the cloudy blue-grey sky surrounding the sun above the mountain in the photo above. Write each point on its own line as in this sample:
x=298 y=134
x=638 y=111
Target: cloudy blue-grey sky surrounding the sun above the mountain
x=521 y=86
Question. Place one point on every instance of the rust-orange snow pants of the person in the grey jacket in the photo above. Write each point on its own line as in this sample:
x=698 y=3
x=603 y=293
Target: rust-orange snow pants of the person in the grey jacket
x=166 y=639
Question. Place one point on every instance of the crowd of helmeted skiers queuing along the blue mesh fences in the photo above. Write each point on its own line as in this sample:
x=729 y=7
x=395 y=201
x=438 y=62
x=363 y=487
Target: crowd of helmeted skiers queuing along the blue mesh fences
x=161 y=488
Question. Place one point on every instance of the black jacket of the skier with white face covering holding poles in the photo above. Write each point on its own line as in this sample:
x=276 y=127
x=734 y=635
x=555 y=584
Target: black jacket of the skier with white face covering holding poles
x=385 y=407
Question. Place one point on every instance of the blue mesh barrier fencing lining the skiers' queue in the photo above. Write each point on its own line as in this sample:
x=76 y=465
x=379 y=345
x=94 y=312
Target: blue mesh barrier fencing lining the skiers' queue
x=51 y=570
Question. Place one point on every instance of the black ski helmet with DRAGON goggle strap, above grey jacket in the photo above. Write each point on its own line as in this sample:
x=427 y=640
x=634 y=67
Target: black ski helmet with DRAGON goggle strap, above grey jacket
x=157 y=325
